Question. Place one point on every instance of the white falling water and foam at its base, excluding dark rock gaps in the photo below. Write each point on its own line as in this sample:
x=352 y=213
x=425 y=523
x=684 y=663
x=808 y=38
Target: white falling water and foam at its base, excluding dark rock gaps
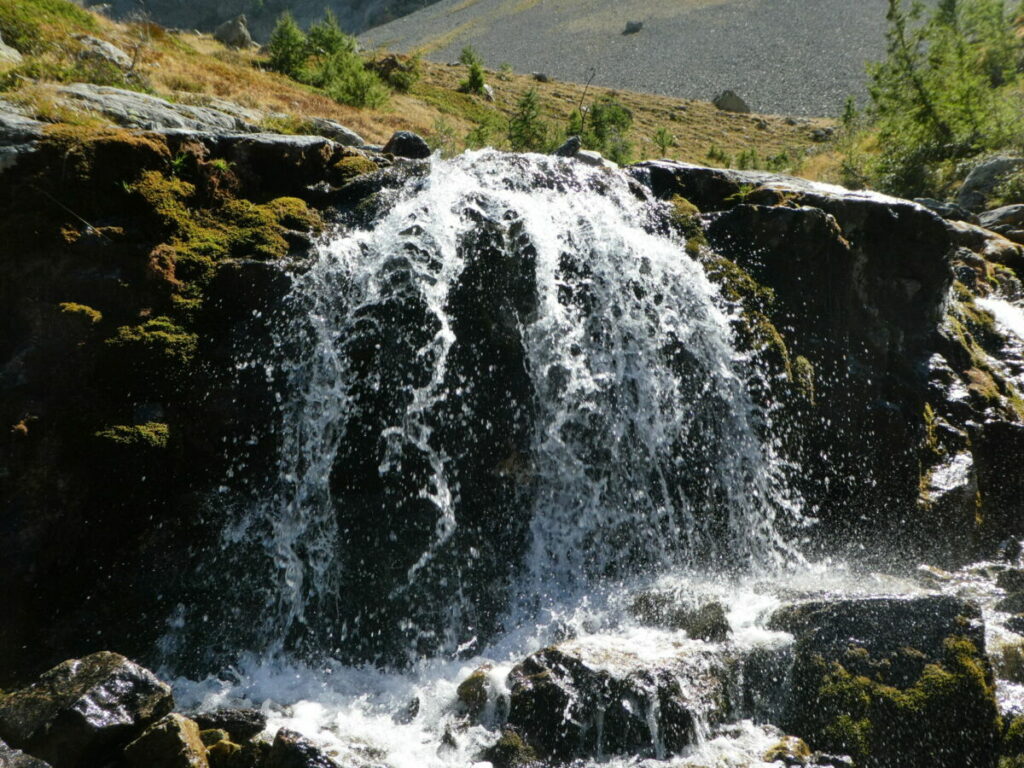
x=636 y=383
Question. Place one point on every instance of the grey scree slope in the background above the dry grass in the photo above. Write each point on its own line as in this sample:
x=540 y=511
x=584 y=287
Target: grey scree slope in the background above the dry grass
x=792 y=57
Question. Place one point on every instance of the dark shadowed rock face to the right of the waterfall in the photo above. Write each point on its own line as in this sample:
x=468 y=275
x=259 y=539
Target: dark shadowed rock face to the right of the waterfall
x=849 y=296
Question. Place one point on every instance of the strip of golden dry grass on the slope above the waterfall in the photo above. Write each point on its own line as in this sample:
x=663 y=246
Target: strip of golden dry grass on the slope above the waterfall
x=190 y=68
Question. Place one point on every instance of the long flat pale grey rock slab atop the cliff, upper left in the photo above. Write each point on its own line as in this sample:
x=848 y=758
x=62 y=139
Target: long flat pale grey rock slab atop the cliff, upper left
x=135 y=110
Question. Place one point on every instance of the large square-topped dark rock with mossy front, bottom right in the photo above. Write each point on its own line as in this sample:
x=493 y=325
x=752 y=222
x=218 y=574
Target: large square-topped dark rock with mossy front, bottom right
x=888 y=681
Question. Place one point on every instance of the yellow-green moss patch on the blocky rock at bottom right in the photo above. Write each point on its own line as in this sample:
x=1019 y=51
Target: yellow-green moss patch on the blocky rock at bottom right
x=870 y=710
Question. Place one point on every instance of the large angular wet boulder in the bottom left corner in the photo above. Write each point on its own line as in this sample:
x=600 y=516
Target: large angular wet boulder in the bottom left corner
x=83 y=709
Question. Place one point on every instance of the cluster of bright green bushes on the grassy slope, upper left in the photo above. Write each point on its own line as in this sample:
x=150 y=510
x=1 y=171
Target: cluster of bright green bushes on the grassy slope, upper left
x=327 y=59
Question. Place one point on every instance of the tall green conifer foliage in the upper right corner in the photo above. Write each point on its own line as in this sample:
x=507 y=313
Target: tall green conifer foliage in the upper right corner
x=951 y=90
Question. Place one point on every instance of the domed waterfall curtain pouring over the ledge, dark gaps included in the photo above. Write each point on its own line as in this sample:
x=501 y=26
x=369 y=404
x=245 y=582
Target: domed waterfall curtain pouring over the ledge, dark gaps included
x=510 y=396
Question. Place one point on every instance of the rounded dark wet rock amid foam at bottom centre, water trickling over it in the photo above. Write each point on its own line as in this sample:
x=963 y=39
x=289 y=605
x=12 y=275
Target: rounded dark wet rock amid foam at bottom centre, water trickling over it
x=577 y=700
